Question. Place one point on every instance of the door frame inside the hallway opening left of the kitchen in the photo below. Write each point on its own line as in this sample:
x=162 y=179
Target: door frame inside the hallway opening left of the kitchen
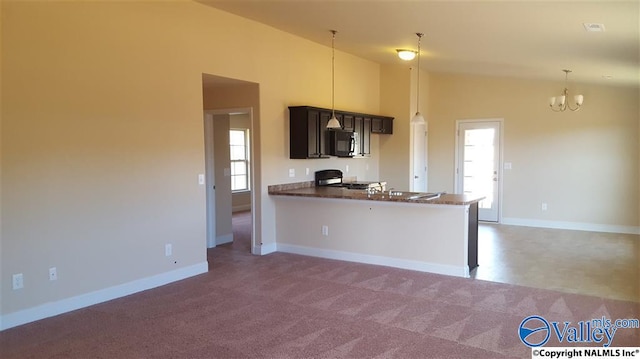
x=210 y=172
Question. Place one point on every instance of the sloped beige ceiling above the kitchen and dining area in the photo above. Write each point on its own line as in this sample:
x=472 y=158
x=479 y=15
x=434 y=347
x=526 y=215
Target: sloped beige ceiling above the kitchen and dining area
x=527 y=39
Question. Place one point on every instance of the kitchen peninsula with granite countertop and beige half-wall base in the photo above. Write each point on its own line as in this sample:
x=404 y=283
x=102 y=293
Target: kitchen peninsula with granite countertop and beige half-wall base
x=435 y=233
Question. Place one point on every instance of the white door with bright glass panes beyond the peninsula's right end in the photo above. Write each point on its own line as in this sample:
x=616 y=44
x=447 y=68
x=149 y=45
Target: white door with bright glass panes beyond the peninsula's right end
x=478 y=168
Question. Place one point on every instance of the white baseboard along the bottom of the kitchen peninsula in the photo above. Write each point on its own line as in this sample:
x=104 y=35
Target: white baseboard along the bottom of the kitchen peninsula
x=462 y=271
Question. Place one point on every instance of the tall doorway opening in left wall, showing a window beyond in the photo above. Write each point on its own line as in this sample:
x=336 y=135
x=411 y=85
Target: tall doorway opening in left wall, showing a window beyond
x=221 y=97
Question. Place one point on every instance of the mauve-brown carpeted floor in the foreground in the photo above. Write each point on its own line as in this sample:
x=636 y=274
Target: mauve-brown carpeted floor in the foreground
x=290 y=306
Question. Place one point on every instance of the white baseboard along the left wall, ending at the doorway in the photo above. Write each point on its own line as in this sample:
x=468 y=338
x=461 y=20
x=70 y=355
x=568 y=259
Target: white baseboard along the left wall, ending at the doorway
x=84 y=300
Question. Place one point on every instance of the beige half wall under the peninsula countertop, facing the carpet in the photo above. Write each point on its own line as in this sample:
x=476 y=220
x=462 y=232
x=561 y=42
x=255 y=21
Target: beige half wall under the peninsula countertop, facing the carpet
x=425 y=237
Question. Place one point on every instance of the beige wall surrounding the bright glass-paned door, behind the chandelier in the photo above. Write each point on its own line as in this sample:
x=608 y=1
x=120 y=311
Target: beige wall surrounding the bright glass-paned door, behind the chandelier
x=583 y=164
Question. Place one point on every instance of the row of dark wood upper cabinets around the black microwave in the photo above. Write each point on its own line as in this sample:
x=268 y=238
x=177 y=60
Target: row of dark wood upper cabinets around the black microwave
x=308 y=130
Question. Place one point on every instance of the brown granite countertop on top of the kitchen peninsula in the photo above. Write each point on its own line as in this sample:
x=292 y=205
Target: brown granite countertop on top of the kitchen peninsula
x=307 y=189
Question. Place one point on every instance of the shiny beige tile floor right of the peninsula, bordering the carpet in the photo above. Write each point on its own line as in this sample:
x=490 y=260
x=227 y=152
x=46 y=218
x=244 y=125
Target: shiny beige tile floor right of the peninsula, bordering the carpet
x=606 y=265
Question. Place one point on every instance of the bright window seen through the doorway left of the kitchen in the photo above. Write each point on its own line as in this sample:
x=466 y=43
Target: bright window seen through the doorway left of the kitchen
x=239 y=143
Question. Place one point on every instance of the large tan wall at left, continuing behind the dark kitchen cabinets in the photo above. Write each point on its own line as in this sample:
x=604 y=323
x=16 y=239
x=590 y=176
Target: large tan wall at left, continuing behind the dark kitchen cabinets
x=102 y=136
